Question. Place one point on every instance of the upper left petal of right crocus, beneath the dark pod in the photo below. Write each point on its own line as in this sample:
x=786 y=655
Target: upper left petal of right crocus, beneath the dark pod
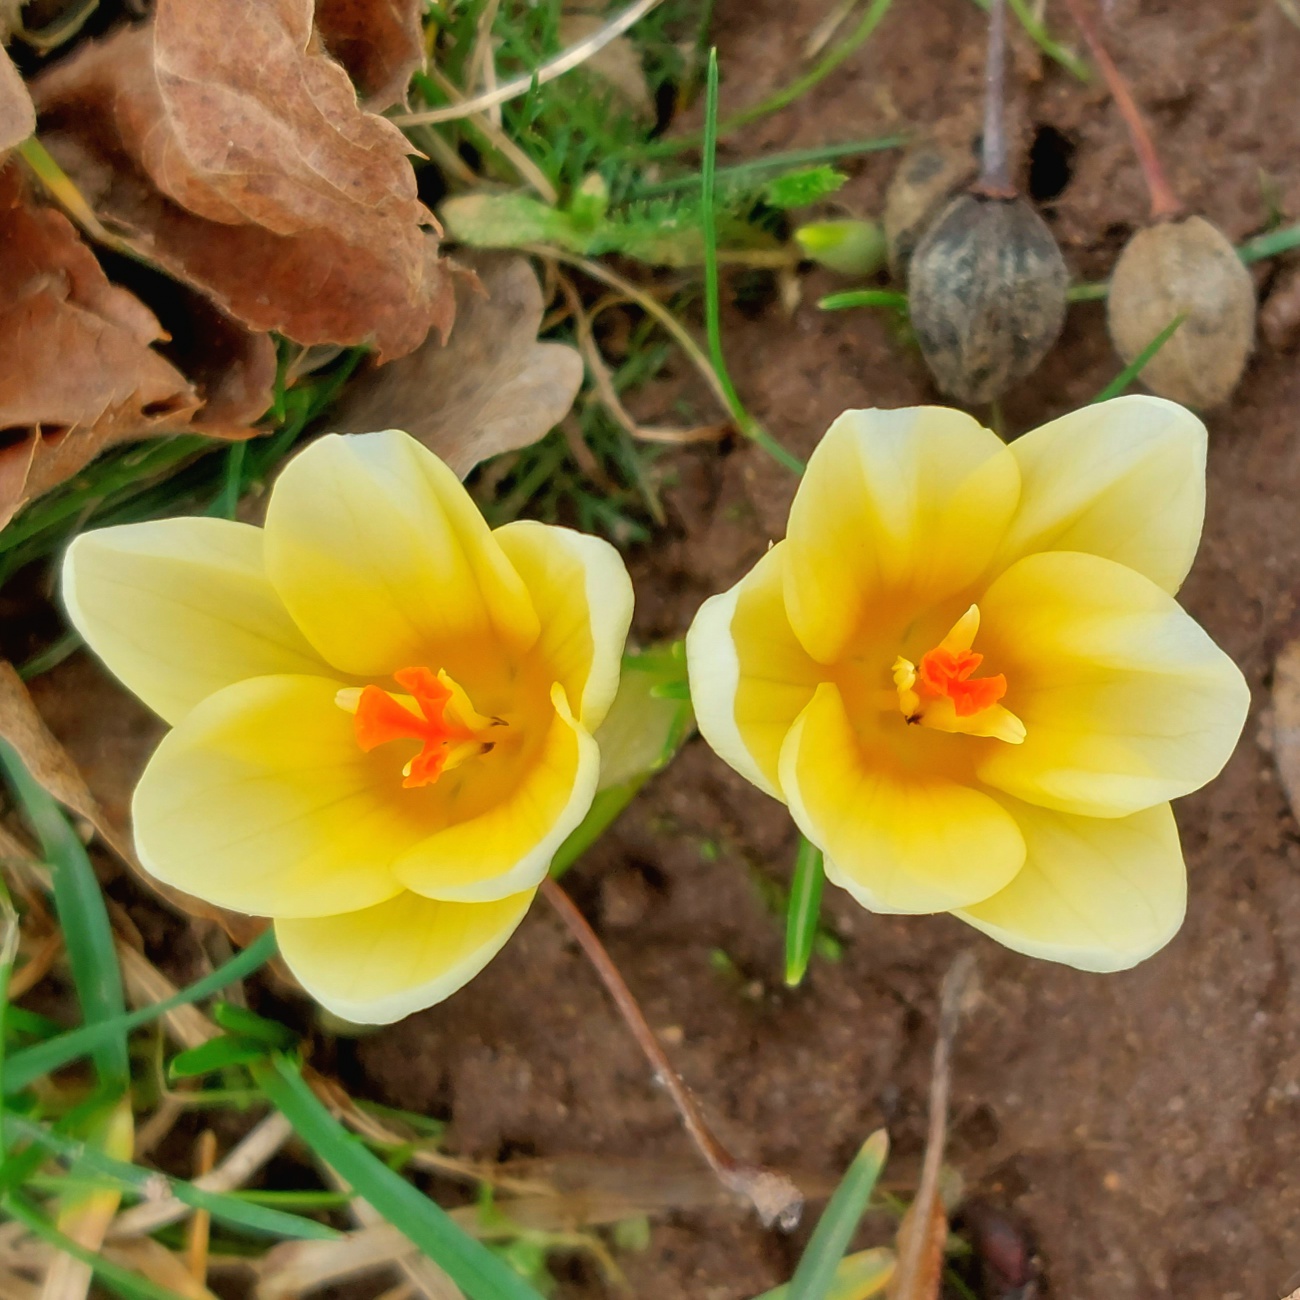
x=898 y=510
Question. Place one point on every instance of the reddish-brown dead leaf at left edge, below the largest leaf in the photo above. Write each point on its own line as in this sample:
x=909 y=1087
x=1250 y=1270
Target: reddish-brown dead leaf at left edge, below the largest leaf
x=81 y=372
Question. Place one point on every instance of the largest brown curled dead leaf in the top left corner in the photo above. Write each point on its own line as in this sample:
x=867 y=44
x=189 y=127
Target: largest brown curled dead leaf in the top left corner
x=231 y=151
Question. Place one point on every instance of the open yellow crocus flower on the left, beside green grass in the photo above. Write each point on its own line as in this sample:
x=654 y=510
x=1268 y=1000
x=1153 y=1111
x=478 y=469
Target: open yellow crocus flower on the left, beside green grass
x=382 y=712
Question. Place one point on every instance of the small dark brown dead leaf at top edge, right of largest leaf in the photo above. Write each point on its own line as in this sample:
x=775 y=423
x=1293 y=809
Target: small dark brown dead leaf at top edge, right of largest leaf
x=379 y=42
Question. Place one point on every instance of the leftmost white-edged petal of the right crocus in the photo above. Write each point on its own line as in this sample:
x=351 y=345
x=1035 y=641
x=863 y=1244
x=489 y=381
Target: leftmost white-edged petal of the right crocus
x=749 y=675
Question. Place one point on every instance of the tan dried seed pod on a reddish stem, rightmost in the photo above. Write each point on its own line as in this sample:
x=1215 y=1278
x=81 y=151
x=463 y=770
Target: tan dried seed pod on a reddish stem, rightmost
x=1185 y=268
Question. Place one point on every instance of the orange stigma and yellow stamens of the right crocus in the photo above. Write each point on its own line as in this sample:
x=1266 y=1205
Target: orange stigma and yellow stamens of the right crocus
x=944 y=694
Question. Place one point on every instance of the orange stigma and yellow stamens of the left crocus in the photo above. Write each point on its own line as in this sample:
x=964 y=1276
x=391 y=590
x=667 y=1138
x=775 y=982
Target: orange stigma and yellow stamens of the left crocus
x=437 y=713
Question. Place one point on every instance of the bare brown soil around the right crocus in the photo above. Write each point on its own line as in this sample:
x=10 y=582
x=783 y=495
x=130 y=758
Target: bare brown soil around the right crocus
x=1143 y=1124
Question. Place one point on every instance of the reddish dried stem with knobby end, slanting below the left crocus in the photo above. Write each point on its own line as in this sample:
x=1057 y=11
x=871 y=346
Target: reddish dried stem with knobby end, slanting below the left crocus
x=774 y=1197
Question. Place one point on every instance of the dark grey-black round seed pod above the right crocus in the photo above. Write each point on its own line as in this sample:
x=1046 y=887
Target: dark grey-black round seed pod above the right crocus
x=987 y=296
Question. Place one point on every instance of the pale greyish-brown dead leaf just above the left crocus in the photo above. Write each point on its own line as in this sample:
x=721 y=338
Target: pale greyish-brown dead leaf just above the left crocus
x=493 y=388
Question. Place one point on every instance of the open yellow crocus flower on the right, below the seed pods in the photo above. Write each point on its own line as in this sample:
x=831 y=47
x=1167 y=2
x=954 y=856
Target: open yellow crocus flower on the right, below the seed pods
x=965 y=671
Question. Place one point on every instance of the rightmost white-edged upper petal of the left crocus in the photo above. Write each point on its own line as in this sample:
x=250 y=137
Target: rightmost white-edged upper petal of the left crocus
x=583 y=596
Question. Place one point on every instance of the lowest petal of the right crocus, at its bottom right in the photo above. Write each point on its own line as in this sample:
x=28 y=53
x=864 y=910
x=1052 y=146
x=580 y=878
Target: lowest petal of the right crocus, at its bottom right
x=1100 y=895
